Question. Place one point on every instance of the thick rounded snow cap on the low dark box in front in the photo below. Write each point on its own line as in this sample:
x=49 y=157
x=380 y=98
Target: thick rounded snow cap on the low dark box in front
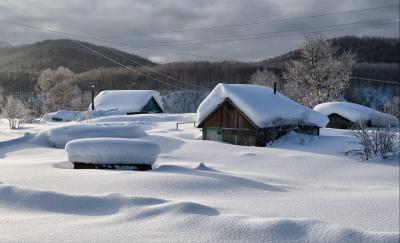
x=112 y=151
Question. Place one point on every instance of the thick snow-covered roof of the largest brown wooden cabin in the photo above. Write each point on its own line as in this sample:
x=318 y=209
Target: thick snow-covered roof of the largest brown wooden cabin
x=261 y=106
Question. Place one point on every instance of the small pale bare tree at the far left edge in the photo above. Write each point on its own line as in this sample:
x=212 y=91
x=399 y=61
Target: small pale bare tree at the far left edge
x=15 y=111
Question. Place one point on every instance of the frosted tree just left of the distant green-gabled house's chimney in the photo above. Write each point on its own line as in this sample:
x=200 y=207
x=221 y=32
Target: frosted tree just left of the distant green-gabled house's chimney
x=58 y=89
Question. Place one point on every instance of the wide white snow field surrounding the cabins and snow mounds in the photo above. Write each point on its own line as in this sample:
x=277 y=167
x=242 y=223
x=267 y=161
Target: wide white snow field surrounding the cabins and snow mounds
x=299 y=189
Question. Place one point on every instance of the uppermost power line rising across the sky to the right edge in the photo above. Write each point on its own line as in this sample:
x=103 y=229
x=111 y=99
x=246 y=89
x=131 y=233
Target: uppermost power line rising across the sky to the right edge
x=253 y=23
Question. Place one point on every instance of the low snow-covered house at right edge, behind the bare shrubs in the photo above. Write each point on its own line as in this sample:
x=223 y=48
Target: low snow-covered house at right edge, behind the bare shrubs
x=345 y=115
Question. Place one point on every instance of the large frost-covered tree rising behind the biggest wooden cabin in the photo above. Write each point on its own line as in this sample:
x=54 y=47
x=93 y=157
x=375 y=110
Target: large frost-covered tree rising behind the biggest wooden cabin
x=321 y=74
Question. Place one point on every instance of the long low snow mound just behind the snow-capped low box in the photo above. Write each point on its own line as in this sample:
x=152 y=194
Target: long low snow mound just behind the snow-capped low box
x=58 y=137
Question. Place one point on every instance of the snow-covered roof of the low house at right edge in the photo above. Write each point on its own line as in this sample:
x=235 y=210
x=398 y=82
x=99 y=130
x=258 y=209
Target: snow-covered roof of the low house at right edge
x=357 y=113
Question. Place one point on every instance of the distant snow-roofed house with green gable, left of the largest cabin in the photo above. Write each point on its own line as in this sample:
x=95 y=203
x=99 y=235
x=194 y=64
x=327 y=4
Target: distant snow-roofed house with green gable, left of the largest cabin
x=129 y=101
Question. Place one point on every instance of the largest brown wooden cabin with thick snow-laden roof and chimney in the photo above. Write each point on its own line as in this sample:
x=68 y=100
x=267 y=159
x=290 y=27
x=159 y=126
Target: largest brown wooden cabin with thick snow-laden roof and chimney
x=253 y=115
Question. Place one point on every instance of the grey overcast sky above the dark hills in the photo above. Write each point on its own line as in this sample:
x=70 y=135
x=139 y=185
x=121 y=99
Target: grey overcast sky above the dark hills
x=128 y=25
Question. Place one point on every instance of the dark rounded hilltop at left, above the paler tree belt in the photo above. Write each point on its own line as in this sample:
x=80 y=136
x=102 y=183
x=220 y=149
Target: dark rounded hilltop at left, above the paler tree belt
x=55 y=53
